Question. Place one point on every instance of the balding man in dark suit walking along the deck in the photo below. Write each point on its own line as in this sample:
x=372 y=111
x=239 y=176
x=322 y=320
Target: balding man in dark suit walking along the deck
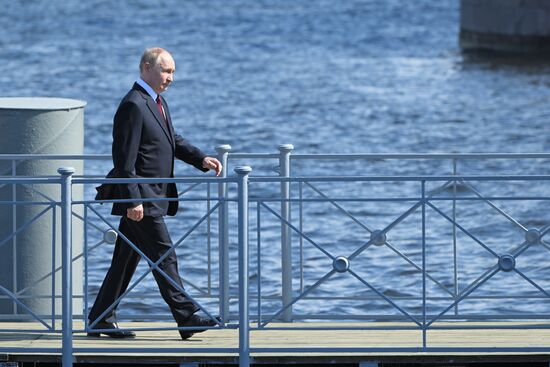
x=145 y=145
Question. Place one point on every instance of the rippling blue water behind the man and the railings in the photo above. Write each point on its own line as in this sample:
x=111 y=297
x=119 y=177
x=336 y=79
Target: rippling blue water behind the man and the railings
x=354 y=76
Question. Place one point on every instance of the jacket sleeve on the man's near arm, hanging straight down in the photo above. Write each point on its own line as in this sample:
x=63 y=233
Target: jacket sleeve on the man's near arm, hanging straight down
x=128 y=123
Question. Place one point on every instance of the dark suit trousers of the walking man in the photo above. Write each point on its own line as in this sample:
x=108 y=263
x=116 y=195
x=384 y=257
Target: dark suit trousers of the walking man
x=151 y=236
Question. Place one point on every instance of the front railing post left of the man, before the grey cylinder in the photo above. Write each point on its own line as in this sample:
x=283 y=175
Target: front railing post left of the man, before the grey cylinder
x=66 y=274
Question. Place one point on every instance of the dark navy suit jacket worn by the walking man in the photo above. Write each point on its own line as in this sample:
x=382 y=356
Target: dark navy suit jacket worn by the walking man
x=144 y=146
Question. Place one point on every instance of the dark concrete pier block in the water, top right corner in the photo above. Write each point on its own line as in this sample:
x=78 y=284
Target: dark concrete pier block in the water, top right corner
x=505 y=25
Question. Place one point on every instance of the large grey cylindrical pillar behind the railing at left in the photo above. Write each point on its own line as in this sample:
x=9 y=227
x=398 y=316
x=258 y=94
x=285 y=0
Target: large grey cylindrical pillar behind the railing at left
x=28 y=261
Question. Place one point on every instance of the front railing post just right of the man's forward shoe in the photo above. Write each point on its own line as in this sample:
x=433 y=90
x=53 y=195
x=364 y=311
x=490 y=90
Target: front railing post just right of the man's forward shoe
x=244 y=323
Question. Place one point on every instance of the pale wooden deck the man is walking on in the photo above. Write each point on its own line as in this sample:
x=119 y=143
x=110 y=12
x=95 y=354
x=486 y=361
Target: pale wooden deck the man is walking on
x=309 y=346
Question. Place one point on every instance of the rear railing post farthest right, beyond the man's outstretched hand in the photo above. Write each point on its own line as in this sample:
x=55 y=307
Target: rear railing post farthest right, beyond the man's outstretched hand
x=286 y=248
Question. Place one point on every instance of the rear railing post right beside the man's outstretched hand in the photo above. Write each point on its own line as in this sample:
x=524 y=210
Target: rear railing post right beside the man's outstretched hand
x=223 y=229
